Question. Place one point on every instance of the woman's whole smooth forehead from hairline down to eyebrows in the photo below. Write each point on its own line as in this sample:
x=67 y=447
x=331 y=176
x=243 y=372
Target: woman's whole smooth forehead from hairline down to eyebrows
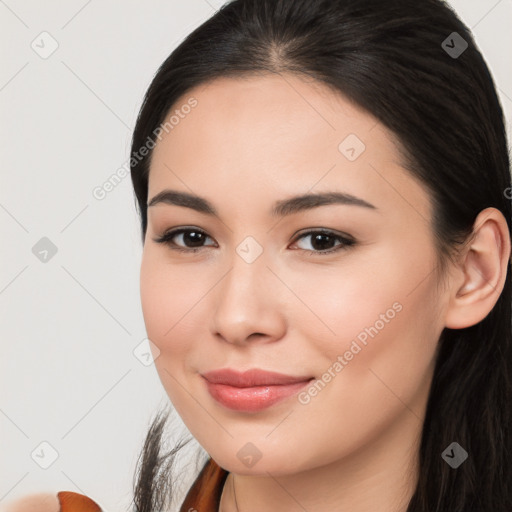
x=282 y=135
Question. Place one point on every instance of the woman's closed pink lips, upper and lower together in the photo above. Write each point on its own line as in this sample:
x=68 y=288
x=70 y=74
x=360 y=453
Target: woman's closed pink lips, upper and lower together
x=253 y=390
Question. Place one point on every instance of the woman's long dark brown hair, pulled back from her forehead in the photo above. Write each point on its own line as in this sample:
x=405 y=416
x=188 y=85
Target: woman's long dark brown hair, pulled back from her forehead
x=400 y=61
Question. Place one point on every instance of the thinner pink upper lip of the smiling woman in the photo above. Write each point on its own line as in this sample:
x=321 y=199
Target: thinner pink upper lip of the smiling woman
x=253 y=377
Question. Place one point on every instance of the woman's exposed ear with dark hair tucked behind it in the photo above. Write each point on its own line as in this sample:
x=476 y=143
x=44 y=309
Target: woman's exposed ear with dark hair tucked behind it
x=480 y=277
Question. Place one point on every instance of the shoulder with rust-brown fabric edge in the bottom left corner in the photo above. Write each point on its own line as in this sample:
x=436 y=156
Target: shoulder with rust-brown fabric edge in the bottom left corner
x=64 y=501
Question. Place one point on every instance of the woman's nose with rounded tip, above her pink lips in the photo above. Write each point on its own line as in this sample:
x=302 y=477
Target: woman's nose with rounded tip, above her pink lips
x=249 y=304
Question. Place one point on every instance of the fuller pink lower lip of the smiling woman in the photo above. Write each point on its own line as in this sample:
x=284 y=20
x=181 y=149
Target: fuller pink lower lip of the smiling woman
x=255 y=398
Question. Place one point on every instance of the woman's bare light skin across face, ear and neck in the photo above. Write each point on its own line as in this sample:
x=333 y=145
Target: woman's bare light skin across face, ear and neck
x=249 y=143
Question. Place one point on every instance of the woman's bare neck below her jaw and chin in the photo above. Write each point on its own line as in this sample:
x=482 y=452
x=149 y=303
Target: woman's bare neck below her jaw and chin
x=380 y=475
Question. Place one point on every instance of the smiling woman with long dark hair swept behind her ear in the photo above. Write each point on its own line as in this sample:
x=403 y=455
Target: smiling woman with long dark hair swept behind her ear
x=324 y=192
